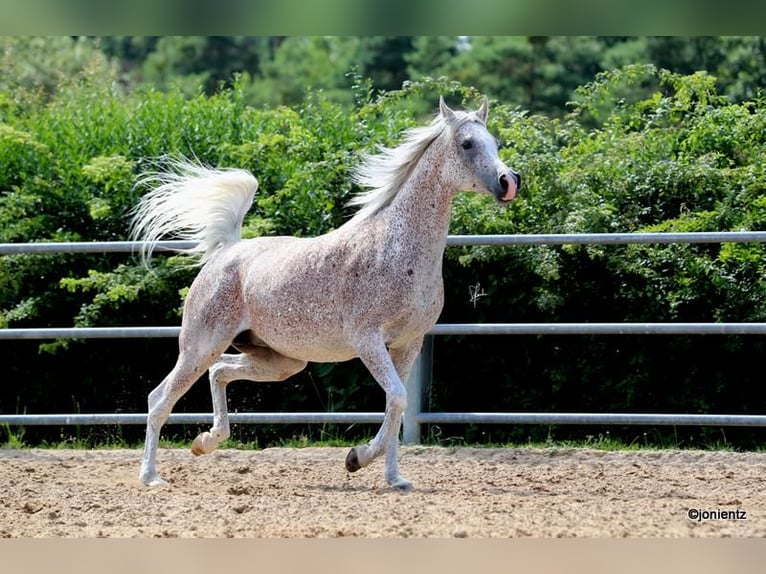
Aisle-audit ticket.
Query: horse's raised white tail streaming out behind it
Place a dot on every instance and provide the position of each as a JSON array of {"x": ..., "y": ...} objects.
[{"x": 193, "y": 202}]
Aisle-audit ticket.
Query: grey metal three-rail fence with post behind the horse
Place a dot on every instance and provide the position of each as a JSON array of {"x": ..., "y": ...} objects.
[{"x": 420, "y": 377}]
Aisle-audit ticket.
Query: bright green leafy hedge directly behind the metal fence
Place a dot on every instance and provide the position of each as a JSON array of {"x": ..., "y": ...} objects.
[{"x": 640, "y": 149}]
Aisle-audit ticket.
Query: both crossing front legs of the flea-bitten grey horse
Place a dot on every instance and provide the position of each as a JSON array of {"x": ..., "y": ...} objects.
[{"x": 390, "y": 370}]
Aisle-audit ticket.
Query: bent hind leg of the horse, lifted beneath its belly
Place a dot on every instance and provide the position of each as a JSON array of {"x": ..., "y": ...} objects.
[{"x": 256, "y": 364}]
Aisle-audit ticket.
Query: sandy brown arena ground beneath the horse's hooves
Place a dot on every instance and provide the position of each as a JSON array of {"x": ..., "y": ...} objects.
[{"x": 458, "y": 492}]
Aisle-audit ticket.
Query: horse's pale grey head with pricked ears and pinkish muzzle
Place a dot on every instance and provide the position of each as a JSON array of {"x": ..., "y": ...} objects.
[{"x": 475, "y": 150}]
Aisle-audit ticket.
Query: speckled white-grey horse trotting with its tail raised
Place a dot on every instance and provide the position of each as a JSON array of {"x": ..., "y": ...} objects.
[{"x": 370, "y": 289}]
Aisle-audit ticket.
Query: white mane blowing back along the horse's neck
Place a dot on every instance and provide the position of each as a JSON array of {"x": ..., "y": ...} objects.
[{"x": 384, "y": 173}]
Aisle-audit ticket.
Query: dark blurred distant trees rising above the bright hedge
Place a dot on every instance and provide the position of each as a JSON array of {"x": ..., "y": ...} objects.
[{"x": 538, "y": 73}]
